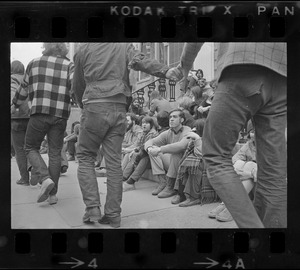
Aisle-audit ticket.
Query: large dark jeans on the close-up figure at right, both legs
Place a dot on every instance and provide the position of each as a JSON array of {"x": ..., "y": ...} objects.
[{"x": 243, "y": 92}]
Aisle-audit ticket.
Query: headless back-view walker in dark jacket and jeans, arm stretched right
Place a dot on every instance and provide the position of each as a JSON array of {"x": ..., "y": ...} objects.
[{"x": 101, "y": 86}]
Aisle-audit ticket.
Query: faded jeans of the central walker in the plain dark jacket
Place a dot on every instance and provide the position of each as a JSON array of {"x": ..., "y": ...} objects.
[{"x": 101, "y": 124}]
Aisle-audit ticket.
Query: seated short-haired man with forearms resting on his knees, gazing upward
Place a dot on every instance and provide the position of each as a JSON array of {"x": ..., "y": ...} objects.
[{"x": 165, "y": 143}]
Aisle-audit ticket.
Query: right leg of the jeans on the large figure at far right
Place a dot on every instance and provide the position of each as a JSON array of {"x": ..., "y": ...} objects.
[{"x": 270, "y": 198}]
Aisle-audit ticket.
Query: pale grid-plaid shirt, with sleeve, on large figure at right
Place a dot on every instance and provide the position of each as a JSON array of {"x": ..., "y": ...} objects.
[{"x": 270, "y": 55}]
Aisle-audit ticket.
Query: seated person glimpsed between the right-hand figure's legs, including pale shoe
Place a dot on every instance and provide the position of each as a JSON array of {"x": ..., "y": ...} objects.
[{"x": 244, "y": 163}]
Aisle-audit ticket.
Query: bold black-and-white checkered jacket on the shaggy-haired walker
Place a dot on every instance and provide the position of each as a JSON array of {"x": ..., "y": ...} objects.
[{"x": 47, "y": 82}]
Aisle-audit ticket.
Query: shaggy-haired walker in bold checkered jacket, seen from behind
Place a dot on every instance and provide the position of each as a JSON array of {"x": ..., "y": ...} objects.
[{"x": 47, "y": 82}]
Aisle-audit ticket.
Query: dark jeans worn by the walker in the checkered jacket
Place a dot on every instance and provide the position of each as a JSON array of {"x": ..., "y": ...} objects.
[{"x": 54, "y": 127}]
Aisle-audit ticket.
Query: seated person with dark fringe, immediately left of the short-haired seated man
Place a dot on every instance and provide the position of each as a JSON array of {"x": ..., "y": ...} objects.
[{"x": 139, "y": 157}]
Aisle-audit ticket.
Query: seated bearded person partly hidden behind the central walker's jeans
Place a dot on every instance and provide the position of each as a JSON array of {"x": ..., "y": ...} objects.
[{"x": 132, "y": 135}]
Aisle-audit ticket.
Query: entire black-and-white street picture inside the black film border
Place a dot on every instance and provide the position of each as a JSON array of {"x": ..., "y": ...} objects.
[{"x": 148, "y": 135}]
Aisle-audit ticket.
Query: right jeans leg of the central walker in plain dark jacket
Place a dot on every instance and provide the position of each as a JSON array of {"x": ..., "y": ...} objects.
[{"x": 112, "y": 149}]
